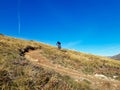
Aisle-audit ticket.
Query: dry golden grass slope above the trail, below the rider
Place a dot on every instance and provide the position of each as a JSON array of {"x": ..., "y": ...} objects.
[{"x": 89, "y": 64}]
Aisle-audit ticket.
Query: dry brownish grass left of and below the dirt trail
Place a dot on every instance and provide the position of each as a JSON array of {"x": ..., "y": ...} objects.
[{"x": 17, "y": 73}]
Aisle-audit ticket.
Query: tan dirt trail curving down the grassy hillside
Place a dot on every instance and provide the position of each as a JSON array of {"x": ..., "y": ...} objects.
[{"x": 37, "y": 58}]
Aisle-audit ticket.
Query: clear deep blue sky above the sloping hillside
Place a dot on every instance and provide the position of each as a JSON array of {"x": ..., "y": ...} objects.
[{"x": 91, "y": 26}]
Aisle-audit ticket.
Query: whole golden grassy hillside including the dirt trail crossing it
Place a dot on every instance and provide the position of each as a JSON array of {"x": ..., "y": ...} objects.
[{"x": 17, "y": 72}]
